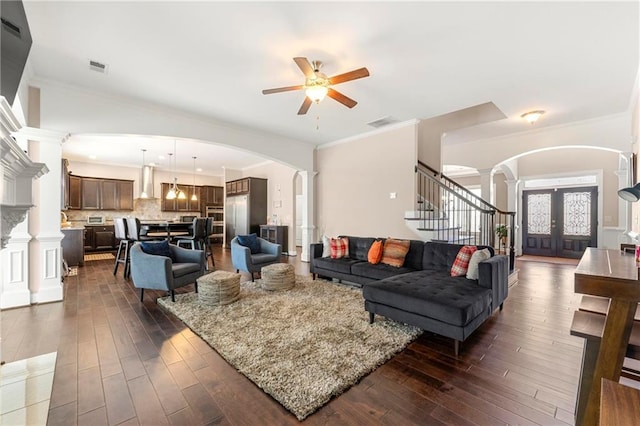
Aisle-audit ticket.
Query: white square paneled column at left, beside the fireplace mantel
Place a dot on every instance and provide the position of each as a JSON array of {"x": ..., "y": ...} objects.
[{"x": 45, "y": 265}]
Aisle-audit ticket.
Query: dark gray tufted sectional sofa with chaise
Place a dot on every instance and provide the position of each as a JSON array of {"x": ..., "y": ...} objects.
[{"x": 422, "y": 292}]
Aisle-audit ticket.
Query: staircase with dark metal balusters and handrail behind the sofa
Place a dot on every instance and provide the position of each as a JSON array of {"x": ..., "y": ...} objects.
[{"x": 445, "y": 211}]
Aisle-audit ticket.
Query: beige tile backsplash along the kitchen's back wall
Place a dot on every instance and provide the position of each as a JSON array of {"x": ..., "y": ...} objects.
[{"x": 144, "y": 209}]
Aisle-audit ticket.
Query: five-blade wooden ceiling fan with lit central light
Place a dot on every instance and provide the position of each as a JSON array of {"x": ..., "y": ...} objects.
[{"x": 317, "y": 85}]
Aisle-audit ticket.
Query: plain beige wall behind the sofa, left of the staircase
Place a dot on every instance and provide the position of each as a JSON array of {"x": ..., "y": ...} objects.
[{"x": 355, "y": 179}]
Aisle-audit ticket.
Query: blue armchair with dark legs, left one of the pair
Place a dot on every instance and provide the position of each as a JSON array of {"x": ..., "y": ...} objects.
[{"x": 161, "y": 273}]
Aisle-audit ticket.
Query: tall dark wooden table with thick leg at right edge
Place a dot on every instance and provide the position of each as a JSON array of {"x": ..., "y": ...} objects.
[{"x": 612, "y": 274}]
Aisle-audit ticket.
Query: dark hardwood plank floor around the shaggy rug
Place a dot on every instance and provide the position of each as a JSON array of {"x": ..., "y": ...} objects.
[{"x": 125, "y": 362}]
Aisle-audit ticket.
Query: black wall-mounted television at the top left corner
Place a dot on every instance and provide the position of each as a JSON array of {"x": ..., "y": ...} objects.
[{"x": 15, "y": 43}]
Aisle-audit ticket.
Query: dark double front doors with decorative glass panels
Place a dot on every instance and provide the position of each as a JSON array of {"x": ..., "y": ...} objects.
[{"x": 559, "y": 222}]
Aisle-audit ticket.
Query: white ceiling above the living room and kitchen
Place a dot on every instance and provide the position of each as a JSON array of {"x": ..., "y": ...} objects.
[{"x": 576, "y": 60}]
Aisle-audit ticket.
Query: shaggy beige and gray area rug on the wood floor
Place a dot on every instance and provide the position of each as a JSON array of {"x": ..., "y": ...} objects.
[{"x": 301, "y": 346}]
